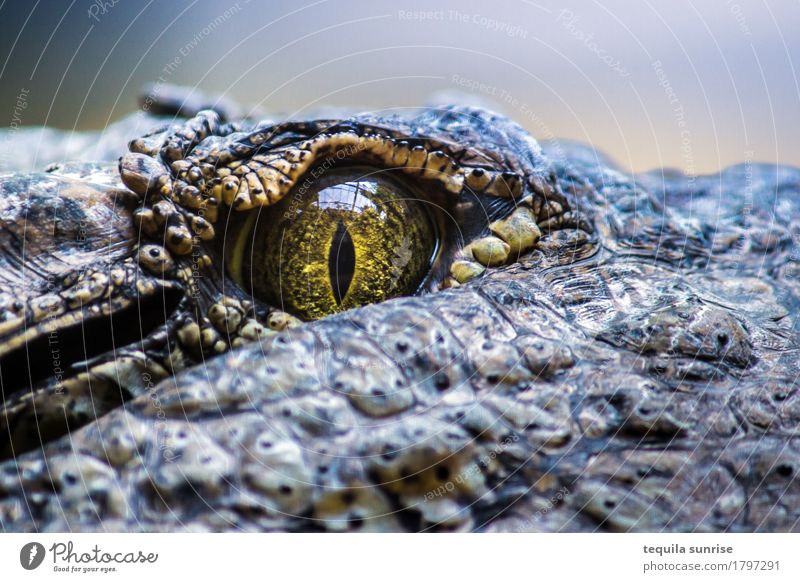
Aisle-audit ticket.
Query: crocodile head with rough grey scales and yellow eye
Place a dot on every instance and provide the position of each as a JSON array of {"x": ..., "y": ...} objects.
[{"x": 414, "y": 321}]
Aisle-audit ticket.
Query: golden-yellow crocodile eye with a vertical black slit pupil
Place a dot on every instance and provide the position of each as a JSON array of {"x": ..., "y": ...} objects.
[{"x": 346, "y": 239}]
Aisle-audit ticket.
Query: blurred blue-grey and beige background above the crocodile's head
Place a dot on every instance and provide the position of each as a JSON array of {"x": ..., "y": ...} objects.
[{"x": 691, "y": 84}]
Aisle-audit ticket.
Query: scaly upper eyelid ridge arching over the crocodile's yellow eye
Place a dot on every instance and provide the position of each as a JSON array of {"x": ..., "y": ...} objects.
[{"x": 204, "y": 165}]
